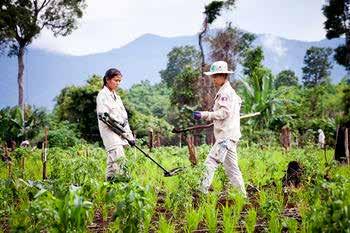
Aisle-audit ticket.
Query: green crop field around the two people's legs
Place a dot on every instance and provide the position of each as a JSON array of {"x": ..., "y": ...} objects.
[{"x": 76, "y": 198}]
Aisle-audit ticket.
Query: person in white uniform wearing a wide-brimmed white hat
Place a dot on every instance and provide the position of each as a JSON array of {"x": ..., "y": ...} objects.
[{"x": 226, "y": 118}]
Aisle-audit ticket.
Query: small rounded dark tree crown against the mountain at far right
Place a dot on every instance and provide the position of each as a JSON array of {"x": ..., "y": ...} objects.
[{"x": 317, "y": 66}]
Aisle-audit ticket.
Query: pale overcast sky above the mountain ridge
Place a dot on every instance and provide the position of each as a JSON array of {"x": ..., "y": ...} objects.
[{"x": 109, "y": 24}]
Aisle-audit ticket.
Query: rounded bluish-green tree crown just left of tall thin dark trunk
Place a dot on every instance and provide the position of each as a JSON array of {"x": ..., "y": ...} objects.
[{"x": 178, "y": 59}]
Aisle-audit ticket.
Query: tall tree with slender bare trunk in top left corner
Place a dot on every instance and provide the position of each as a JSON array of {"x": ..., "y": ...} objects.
[{"x": 21, "y": 21}]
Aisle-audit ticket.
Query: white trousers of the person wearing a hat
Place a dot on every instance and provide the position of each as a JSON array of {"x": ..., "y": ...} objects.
[{"x": 224, "y": 152}]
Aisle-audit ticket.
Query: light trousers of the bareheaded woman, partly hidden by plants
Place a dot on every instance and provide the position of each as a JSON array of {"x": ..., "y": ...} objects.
[{"x": 115, "y": 161}]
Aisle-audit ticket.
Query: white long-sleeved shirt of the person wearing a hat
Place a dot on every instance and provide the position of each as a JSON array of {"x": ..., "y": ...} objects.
[{"x": 225, "y": 114}]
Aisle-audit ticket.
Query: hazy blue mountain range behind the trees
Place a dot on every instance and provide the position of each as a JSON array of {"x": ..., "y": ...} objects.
[{"x": 46, "y": 73}]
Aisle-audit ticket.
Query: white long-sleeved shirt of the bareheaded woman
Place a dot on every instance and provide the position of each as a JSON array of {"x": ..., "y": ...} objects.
[{"x": 108, "y": 101}]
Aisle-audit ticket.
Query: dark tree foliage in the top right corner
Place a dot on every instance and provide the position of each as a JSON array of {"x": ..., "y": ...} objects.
[{"x": 337, "y": 24}]
